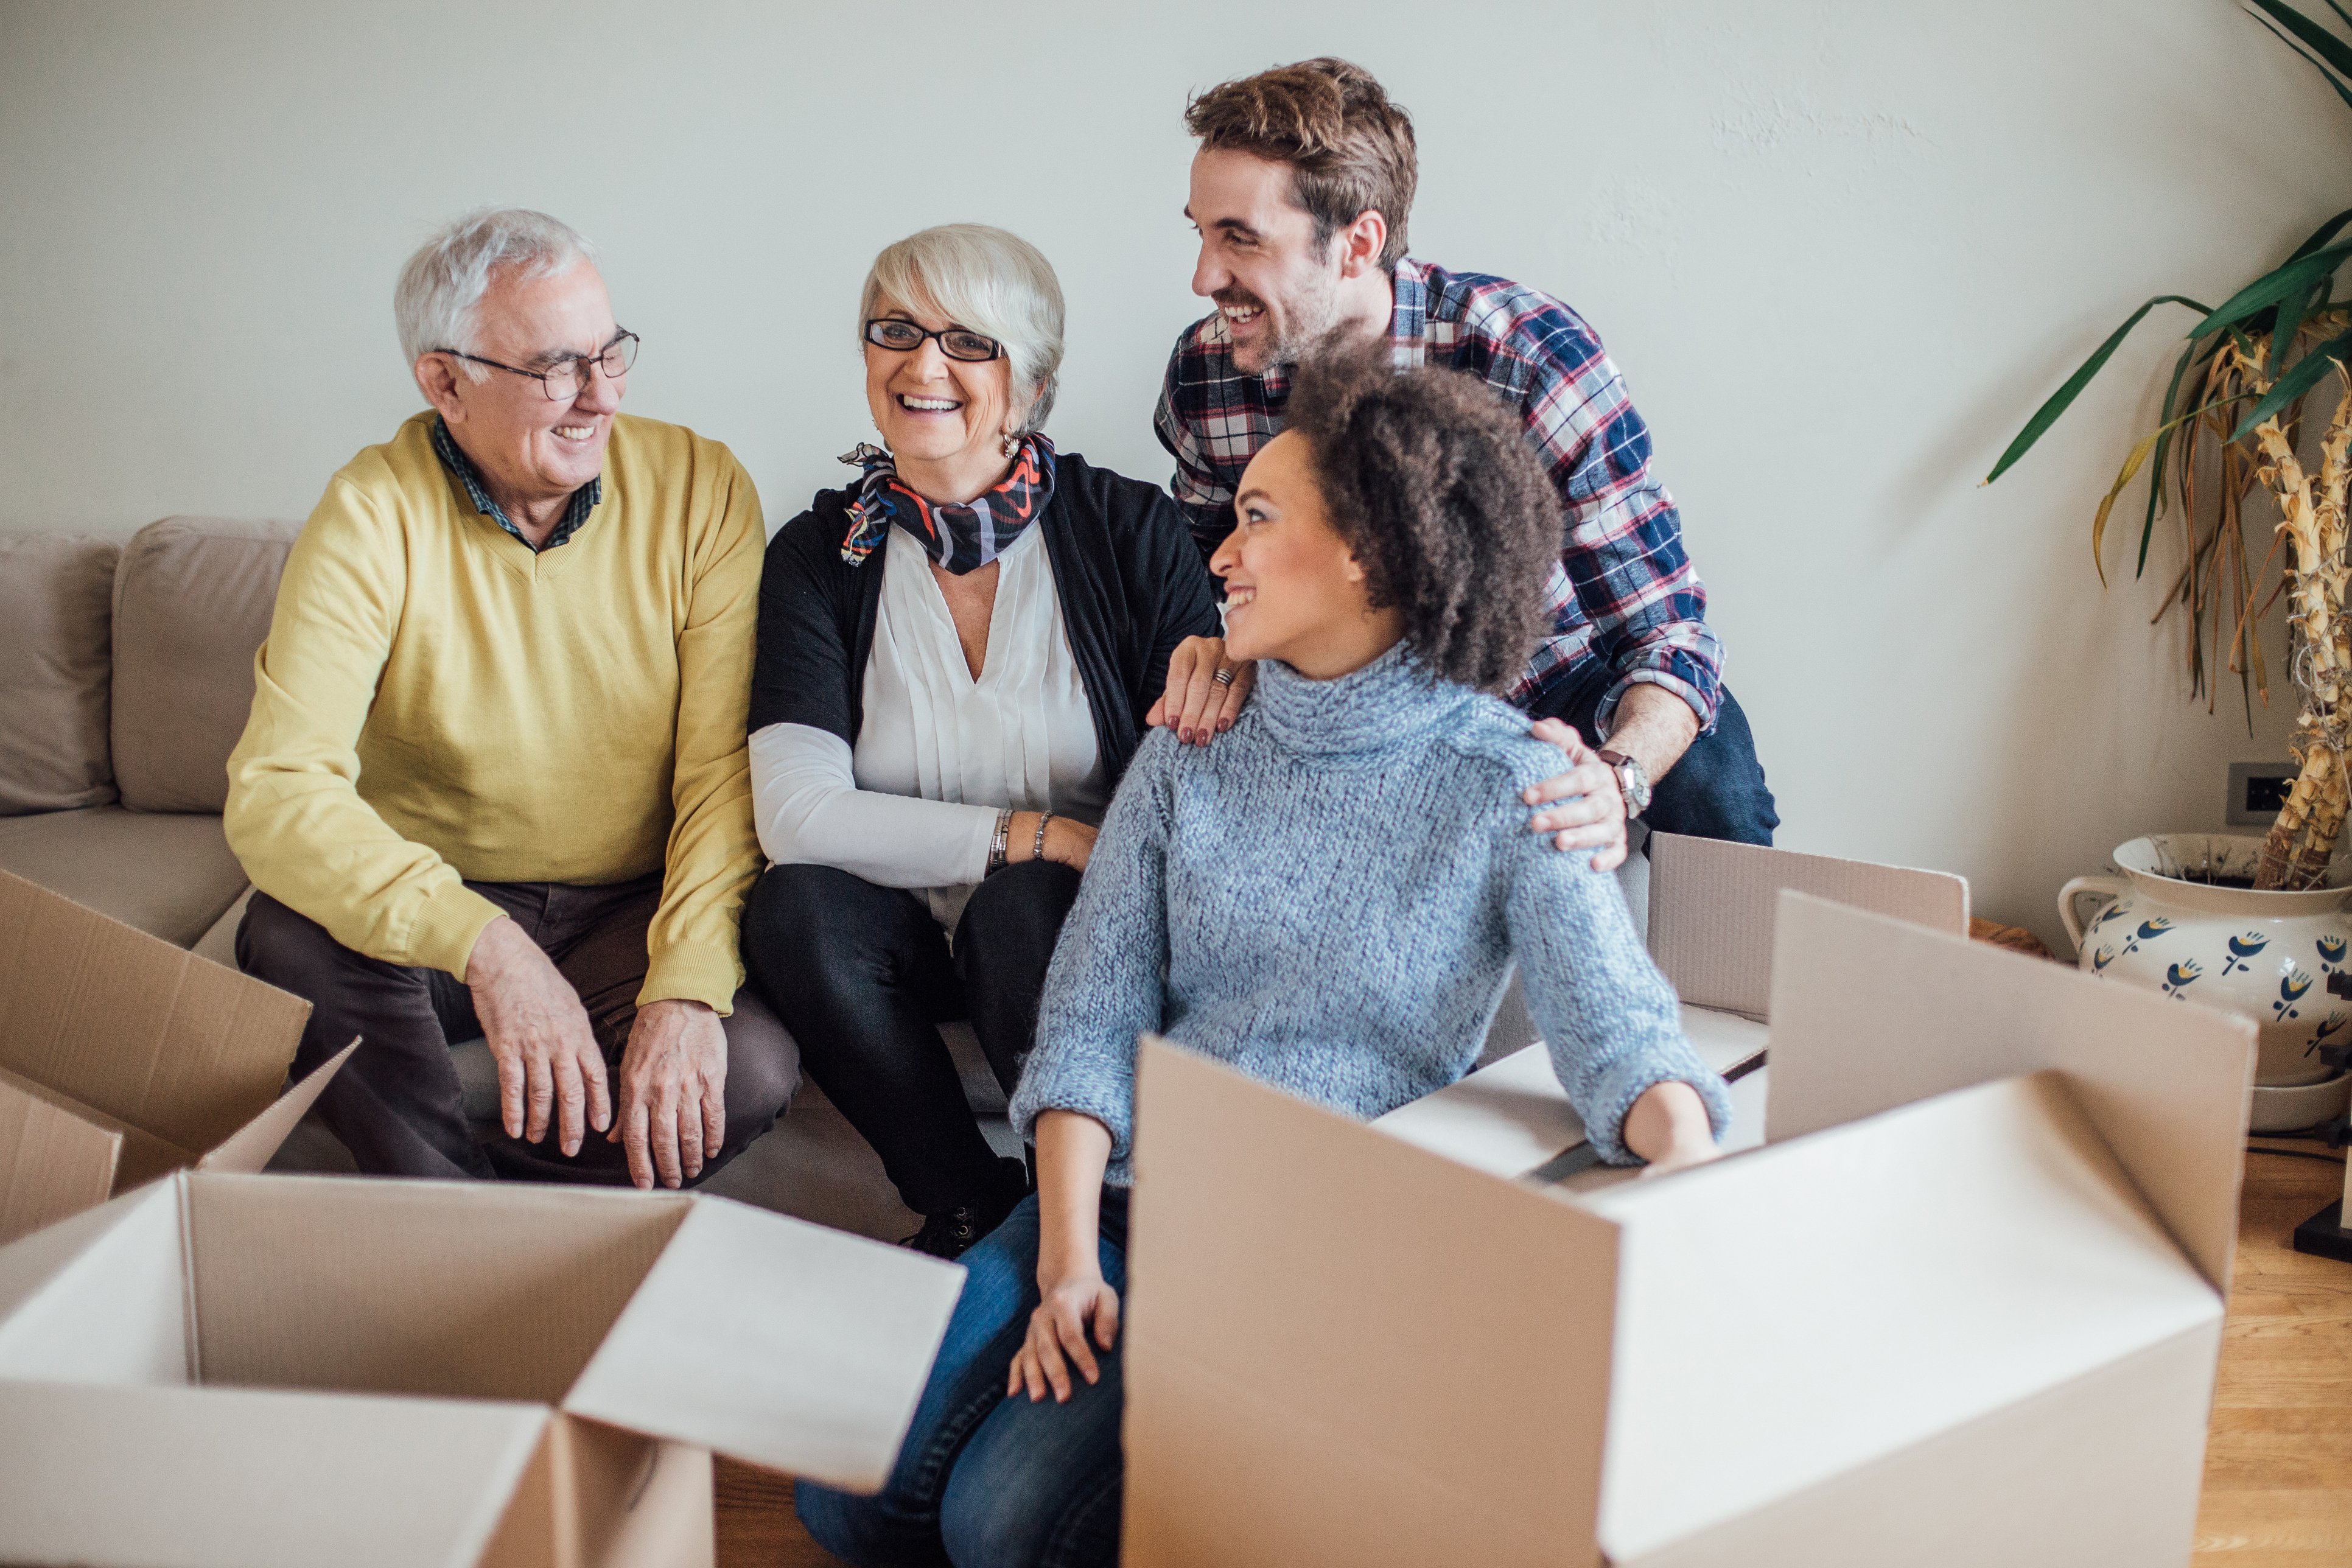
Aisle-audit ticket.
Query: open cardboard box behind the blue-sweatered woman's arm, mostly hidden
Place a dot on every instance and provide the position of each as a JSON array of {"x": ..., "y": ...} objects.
[{"x": 1711, "y": 932}]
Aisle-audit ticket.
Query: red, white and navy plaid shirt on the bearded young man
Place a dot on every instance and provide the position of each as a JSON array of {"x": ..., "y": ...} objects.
[{"x": 1626, "y": 603}]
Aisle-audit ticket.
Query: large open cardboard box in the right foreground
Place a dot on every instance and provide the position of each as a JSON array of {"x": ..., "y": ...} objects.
[{"x": 1960, "y": 1311}]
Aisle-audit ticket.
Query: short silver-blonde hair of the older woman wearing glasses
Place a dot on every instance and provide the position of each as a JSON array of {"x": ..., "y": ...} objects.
[{"x": 989, "y": 281}]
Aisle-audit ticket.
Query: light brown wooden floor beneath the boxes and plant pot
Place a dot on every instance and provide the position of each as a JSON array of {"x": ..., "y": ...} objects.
[{"x": 2278, "y": 1463}]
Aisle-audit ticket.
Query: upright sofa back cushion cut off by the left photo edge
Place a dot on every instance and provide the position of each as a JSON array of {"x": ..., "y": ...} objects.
[{"x": 58, "y": 608}]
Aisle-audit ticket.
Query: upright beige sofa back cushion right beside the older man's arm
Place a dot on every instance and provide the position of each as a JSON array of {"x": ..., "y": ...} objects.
[{"x": 194, "y": 601}]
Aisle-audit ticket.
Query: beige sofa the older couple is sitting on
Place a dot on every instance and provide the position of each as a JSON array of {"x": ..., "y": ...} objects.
[{"x": 126, "y": 676}]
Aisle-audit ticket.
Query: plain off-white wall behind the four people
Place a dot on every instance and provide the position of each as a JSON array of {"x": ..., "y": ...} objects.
[{"x": 1840, "y": 250}]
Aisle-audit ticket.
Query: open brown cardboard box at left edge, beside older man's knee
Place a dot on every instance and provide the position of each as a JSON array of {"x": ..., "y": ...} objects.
[{"x": 123, "y": 1059}]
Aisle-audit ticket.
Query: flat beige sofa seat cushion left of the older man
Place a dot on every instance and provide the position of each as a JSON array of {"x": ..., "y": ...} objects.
[{"x": 168, "y": 876}]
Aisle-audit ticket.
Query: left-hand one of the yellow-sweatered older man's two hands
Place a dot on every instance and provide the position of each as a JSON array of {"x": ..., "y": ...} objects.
[{"x": 540, "y": 1033}]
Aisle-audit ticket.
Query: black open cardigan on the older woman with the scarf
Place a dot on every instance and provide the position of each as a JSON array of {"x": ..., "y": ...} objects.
[{"x": 1125, "y": 570}]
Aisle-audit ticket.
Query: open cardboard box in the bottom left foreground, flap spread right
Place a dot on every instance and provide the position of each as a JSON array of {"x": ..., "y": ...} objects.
[{"x": 274, "y": 1369}]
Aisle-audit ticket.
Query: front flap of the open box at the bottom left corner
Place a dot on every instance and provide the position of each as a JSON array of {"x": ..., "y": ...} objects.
[{"x": 203, "y": 1477}]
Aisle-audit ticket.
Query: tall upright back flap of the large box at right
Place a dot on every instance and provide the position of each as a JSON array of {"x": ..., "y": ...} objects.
[{"x": 1873, "y": 1014}]
